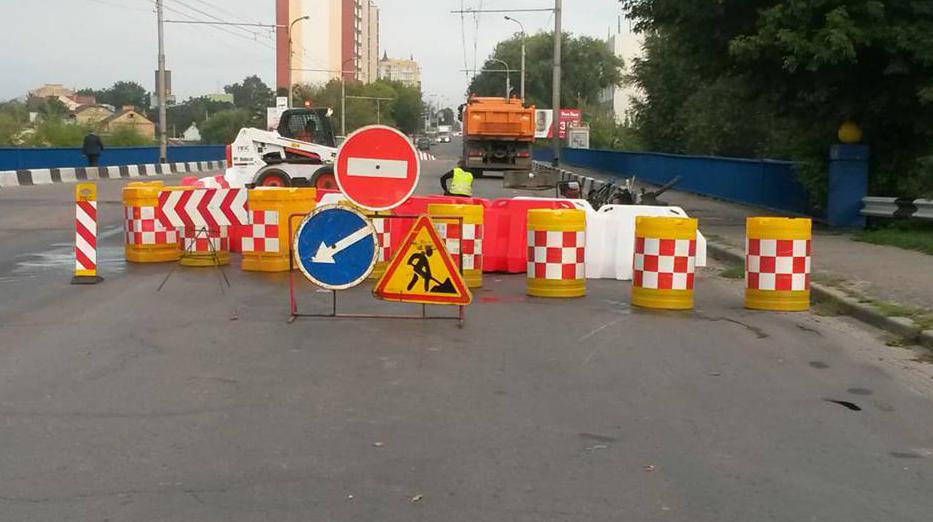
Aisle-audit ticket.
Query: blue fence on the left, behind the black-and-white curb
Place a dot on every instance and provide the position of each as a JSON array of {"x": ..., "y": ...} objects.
[{"x": 44, "y": 158}]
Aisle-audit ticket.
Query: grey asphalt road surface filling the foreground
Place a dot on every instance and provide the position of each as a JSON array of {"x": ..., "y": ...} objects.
[{"x": 121, "y": 403}]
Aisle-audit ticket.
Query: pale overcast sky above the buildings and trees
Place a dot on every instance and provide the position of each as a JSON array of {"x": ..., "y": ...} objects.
[{"x": 93, "y": 43}]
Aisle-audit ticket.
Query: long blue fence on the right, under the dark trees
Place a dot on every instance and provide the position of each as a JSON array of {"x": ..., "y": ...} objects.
[{"x": 765, "y": 183}]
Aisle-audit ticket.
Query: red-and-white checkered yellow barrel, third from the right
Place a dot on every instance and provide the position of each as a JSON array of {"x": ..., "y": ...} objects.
[{"x": 556, "y": 253}]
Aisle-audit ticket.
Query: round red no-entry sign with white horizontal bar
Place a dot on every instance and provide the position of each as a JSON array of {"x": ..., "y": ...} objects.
[{"x": 377, "y": 168}]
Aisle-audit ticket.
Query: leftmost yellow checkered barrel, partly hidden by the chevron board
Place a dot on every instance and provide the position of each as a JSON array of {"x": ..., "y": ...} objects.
[{"x": 146, "y": 239}]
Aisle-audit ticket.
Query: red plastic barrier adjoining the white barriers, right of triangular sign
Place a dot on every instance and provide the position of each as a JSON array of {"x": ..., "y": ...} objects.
[{"x": 505, "y": 245}]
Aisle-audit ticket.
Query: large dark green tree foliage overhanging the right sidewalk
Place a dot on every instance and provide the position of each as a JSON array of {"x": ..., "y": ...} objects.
[{"x": 781, "y": 75}]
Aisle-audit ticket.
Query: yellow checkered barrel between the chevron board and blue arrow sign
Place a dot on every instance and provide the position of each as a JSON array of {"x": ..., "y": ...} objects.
[{"x": 265, "y": 242}]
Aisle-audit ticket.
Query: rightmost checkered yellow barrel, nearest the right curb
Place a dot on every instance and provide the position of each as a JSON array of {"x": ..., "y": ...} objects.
[{"x": 777, "y": 264}]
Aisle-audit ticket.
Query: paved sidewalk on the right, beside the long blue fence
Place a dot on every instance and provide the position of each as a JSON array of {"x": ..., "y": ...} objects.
[{"x": 881, "y": 273}]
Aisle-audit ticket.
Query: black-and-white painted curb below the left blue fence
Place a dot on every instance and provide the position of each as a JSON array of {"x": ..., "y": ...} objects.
[{"x": 32, "y": 177}]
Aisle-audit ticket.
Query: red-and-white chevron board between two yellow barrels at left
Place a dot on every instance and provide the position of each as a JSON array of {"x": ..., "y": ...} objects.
[{"x": 203, "y": 208}]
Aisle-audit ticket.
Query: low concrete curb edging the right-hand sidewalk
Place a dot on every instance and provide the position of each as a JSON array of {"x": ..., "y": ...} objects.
[{"x": 900, "y": 326}]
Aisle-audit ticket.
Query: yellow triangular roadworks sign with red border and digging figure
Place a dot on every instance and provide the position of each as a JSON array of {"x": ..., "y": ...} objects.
[{"x": 422, "y": 271}]
